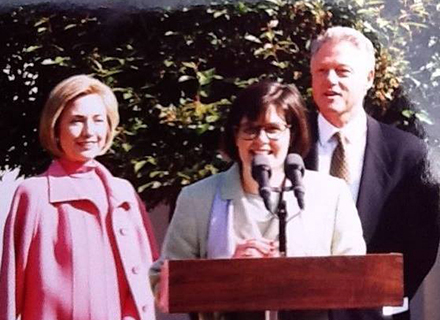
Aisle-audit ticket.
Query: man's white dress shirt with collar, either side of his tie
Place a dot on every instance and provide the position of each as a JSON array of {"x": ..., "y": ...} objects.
[{"x": 355, "y": 133}]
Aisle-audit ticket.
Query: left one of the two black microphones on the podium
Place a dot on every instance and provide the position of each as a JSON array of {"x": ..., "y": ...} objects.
[{"x": 261, "y": 173}]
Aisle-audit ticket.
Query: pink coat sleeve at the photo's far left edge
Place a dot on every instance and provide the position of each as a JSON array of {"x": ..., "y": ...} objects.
[{"x": 18, "y": 236}]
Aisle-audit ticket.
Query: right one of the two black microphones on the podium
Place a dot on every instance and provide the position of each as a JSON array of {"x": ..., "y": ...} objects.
[{"x": 294, "y": 169}]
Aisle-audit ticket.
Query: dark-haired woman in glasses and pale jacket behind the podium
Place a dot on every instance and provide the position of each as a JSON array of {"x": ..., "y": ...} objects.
[{"x": 233, "y": 214}]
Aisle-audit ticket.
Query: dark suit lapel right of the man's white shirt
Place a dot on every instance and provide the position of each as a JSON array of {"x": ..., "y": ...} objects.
[{"x": 374, "y": 179}]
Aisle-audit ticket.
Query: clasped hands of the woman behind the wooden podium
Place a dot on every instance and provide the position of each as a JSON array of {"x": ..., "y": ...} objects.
[{"x": 256, "y": 248}]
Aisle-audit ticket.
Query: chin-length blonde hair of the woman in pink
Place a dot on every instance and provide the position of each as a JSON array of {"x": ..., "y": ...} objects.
[{"x": 62, "y": 96}]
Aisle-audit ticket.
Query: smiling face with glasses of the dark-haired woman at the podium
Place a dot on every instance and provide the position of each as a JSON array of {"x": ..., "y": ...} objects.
[{"x": 272, "y": 138}]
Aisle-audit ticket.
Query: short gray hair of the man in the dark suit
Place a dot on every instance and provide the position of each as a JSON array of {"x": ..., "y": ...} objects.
[{"x": 339, "y": 34}]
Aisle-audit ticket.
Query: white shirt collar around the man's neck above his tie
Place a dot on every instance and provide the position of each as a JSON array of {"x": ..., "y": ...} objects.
[{"x": 353, "y": 131}]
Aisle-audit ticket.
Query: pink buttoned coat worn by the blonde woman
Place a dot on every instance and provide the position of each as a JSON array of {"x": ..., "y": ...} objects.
[{"x": 56, "y": 254}]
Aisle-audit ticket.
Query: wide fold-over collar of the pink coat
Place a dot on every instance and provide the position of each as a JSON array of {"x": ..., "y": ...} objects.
[{"x": 64, "y": 187}]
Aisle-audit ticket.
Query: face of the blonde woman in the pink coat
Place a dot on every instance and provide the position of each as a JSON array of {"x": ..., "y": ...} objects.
[{"x": 83, "y": 128}]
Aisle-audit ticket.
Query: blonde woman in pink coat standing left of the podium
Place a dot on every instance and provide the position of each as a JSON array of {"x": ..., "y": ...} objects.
[{"x": 77, "y": 243}]
